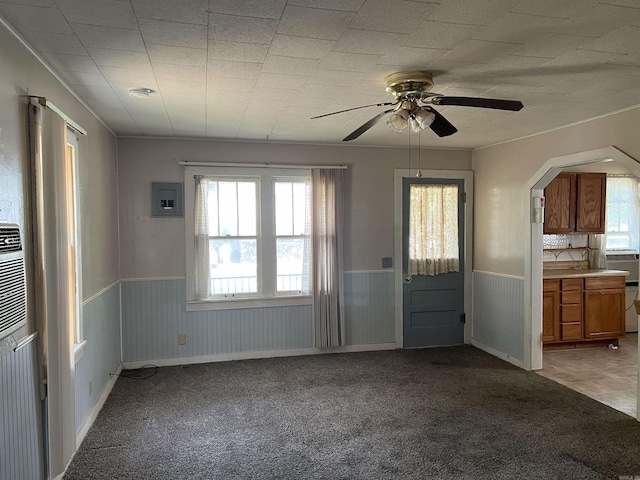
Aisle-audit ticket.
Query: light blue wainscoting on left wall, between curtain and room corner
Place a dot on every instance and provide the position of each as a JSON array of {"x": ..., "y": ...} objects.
[{"x": 101, "y": 354}]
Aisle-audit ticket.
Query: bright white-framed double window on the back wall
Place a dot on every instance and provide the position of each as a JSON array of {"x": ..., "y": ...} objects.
[{"x": 248, "y": 235}]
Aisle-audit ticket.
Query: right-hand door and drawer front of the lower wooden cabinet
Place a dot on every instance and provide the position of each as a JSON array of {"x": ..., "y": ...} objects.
[{"x": 604, "y": 307}]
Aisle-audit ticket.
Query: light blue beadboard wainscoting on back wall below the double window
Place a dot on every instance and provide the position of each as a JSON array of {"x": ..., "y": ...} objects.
[{"x": 153, "y": 315}]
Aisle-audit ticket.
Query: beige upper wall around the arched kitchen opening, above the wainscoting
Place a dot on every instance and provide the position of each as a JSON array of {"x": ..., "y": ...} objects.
[{"x": 502, "y": 171}]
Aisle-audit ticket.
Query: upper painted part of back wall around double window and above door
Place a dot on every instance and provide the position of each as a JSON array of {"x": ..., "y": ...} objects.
[{"x": 154, "y": 247}]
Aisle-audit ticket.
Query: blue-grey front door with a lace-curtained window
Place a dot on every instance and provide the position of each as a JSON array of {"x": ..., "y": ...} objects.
[{"x": 433, "y": 299}]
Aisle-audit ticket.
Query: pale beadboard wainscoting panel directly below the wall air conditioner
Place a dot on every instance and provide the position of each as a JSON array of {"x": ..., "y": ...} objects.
[{"x": 20, "y": 442}]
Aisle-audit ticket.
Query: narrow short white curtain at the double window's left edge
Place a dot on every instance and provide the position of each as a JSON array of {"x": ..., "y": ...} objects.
[{"x": 202, "y": 285}]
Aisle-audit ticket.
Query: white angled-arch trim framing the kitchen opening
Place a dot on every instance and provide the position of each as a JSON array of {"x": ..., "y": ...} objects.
[{"x": 533, "y": 236}]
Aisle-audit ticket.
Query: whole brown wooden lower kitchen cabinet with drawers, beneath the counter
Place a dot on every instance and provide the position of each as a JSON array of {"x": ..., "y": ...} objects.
[{"x": 582, "y": 311}]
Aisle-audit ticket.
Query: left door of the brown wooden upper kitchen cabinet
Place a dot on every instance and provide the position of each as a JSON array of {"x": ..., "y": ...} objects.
[{"x": 560, "y": 204}]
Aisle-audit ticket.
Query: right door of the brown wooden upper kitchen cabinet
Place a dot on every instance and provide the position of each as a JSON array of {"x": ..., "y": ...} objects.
[{"x": 592, "y": 194}]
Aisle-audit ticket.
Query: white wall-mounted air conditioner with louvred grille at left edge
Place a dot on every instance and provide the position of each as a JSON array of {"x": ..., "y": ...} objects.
[{"x": 13, "y": 288}]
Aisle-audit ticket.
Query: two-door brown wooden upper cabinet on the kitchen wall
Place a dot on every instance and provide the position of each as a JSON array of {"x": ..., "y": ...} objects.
[{"x": 575, "y": 202}]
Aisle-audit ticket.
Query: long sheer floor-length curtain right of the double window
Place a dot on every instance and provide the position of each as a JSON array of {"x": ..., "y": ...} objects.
[{"x": 328, "y": 300}]
